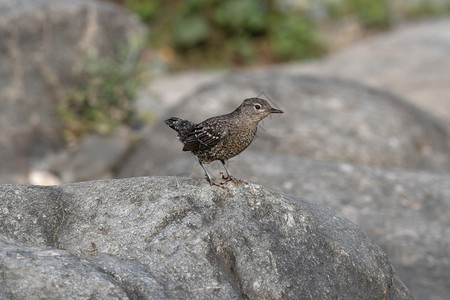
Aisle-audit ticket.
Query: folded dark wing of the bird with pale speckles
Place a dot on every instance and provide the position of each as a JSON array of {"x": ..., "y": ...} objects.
[{"x": 204, "y": 136}]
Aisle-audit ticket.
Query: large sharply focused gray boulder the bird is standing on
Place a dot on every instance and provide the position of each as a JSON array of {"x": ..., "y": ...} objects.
[{"x": 168, "y": 237}]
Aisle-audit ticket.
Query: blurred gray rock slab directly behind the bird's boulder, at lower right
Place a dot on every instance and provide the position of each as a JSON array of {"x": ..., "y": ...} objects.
[{"x": 406, "y": 213}]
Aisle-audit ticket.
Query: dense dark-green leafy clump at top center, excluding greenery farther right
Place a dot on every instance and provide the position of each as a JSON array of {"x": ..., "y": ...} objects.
[{"x": 235, "y": 32}]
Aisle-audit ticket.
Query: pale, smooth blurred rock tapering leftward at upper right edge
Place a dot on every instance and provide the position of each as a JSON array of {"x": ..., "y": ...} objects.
[{"x": 411, "y": 61}]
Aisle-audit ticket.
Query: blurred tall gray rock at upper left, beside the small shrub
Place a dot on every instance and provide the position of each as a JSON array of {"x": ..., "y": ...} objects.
[{"x": 42, "y": 43}]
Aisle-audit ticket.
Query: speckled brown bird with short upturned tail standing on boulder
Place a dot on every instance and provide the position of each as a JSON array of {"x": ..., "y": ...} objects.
[{"x": 222, "y": 137}]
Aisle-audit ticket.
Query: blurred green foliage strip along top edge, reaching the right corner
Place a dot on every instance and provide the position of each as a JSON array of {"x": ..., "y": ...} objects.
[{"x": 205, "y": 33}]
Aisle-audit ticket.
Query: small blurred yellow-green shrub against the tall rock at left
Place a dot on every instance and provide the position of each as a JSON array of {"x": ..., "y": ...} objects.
[{"x": 100, "y": 100}]
